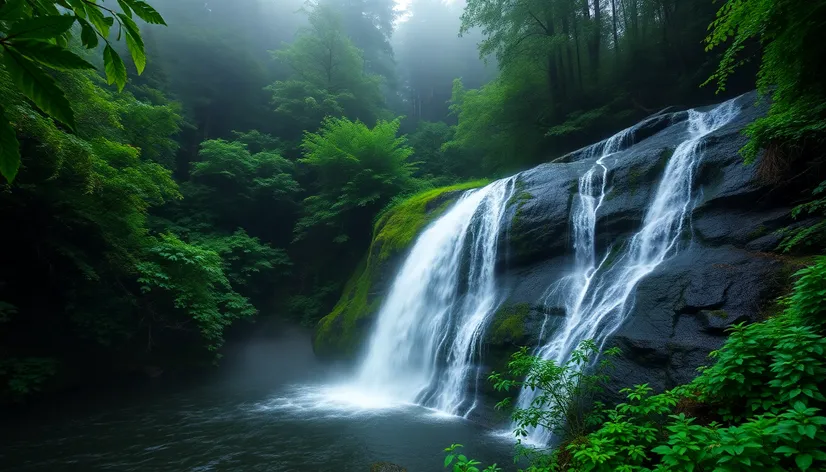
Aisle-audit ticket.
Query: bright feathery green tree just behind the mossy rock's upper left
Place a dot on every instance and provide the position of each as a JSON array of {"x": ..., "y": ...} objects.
[{"x": 358, "y": 170}]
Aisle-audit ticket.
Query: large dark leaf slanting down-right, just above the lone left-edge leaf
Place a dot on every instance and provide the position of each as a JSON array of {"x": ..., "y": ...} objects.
[{"x": 39, "y": 87}]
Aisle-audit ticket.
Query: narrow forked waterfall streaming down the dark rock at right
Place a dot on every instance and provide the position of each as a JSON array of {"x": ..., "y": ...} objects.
[{"x": 596, "y": 295}]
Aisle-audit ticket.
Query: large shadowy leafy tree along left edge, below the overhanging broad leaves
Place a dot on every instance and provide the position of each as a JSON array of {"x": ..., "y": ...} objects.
[{"x": 79, "y": 210}]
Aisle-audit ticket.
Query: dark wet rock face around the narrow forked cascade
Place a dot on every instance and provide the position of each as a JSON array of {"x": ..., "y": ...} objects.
[{"x": 722, "y": 274}]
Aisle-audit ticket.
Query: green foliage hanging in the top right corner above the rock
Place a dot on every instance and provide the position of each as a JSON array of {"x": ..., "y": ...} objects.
[{"x": 791, "y": 67}]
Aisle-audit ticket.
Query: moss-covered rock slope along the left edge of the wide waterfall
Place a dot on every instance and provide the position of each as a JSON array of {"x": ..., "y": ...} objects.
[{"x": 341, "y": 333}]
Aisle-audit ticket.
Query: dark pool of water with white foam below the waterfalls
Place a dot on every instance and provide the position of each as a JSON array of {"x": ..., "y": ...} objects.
[{"x": 257, "y": 412}]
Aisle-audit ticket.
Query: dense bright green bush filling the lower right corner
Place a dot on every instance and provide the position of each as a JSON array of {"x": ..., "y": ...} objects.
[{"x": 758, "y": 406}]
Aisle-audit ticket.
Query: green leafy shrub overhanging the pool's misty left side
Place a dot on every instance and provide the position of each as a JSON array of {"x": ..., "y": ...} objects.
[{"x": 188, "y": 283}]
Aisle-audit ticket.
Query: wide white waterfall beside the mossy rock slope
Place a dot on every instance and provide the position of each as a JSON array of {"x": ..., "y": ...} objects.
[{"x": 428, "y": 332}]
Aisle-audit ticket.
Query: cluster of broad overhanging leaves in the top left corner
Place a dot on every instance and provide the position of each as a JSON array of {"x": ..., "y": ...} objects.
[{"x": 33, "y": 39}]
